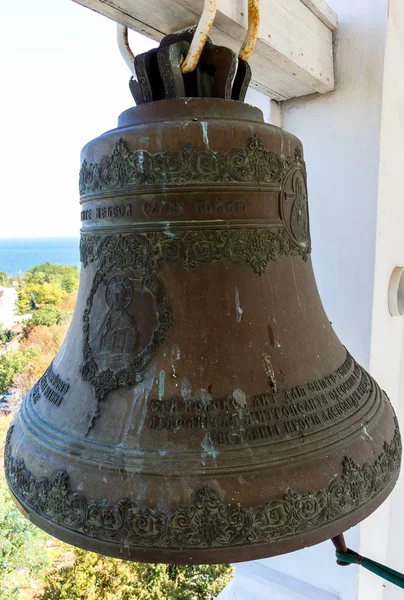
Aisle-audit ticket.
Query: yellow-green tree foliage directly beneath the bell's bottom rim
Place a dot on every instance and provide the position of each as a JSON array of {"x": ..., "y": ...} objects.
[{"x": 94, "y": 577}]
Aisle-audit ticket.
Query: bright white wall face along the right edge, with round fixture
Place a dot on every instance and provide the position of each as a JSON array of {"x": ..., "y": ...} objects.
[{"x": 386, "y": 360}]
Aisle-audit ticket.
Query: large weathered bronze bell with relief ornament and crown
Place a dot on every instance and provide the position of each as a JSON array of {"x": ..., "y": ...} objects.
[{"x": 201, "y": 408}]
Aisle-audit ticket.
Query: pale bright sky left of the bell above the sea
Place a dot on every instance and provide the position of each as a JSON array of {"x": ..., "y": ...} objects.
[{"x": 63, "y": 82}]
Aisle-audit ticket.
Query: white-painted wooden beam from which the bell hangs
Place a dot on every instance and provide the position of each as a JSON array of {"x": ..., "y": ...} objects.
[{"x": 294, "y": 53}]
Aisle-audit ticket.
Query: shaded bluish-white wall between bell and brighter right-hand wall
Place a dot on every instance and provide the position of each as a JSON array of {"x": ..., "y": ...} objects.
[{"x": 341, "y": 136}]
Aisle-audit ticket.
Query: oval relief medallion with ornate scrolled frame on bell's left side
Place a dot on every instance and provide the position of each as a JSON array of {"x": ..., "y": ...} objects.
[{"x": 126, "y": 316}]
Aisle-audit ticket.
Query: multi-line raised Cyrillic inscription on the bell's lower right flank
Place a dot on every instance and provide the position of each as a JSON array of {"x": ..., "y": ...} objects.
[{"x": 291, "y": 413}]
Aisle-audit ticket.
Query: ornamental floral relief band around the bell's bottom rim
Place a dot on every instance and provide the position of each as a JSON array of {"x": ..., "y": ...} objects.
[{"x": 207, "y": 521}]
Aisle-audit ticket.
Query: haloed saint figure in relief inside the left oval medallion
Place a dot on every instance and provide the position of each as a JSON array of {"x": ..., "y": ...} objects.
[{"x": 116, "y": 341}]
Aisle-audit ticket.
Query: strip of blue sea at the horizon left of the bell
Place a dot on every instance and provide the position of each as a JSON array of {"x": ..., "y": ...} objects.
[{"x": 19, "y": 254}]
